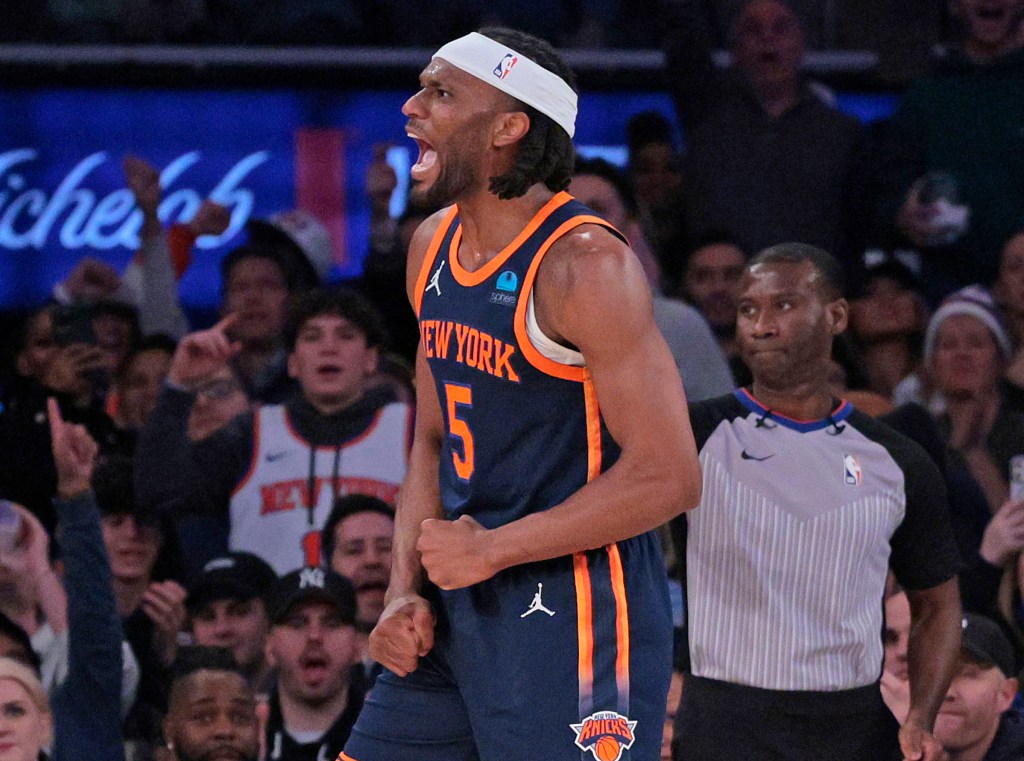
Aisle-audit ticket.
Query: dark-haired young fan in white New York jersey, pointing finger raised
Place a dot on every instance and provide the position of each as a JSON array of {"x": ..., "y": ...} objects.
[{"x": 277, "y": 472}]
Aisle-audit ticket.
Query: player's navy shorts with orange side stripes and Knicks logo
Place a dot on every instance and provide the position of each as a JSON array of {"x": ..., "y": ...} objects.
[{"x": 568, "y": 660}]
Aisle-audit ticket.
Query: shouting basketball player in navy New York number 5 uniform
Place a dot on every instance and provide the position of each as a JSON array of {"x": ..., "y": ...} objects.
[{"x": 551, "y": 438}]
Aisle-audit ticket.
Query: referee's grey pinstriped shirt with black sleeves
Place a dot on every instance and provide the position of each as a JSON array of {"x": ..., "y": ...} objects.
[{"x": 786, "y": 558}]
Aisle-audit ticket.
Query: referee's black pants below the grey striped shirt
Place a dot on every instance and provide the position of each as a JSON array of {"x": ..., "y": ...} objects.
[{"x": 719, "y": 722}]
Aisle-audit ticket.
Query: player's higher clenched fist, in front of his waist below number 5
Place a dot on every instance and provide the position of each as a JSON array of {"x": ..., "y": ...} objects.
[{"x": 452, "y": 553}]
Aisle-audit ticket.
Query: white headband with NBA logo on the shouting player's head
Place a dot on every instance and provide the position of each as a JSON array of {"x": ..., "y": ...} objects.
[{"x": 515, "y": 74}]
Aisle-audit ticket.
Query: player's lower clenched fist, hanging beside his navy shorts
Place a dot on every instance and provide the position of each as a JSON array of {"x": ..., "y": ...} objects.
[{"x": 404, "y": 635}]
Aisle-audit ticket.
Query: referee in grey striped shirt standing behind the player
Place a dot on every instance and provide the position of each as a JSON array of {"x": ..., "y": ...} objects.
[{"x": 807, "y": 504}]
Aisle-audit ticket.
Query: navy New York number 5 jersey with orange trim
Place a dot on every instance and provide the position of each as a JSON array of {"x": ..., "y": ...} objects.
[{"x": 524, "y": 433}]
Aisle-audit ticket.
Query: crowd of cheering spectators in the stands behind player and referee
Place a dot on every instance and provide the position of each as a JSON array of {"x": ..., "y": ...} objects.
[{"x": 169, "y": 489}]
